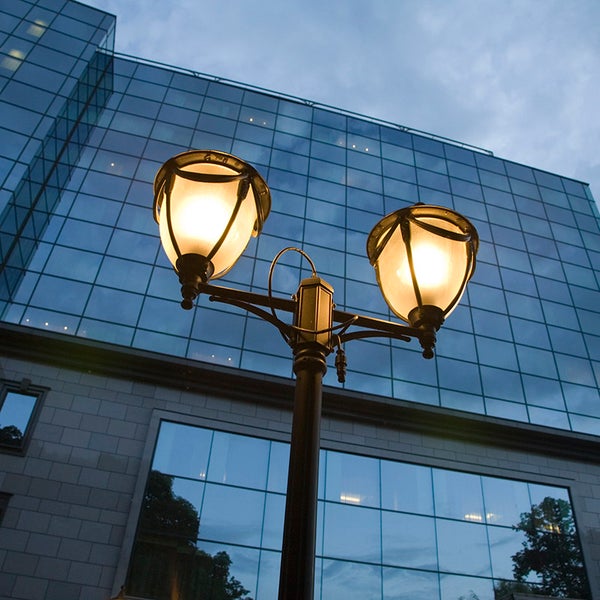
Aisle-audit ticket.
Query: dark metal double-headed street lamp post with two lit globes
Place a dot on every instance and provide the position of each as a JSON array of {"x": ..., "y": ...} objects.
[{"x": 208, "y": 204}]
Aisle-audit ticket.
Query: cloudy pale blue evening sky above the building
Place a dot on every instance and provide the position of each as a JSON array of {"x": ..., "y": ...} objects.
[{"x": 518, "y": 77}]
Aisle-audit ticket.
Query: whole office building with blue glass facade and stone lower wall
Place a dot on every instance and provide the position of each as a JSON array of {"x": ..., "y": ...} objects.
[{"x": 146, "y": 446}]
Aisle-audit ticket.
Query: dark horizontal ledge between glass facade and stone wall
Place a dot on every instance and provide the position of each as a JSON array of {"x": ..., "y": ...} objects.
[{"x": 180, "y": 373}]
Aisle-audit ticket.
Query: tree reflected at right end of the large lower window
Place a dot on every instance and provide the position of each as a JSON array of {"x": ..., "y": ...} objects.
[{"x": 551, "y": 549}]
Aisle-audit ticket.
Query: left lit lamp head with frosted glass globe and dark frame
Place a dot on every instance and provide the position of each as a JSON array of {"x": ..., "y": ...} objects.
[{"x": 208, "y": 205}]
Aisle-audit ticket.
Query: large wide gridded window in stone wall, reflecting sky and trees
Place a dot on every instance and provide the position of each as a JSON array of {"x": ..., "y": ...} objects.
[{"x": 212, "y": 521}]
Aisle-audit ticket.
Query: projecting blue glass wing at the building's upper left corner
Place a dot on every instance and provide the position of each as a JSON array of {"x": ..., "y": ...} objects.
[{"x": 56, "y": 77}]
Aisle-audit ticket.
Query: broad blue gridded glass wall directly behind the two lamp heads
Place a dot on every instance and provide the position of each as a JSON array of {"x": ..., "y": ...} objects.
[{"x": 523, "y": 345}]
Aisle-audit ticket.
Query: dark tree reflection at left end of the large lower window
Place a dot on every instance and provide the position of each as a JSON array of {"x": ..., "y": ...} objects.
[{"x": 166, "y": 564}]
